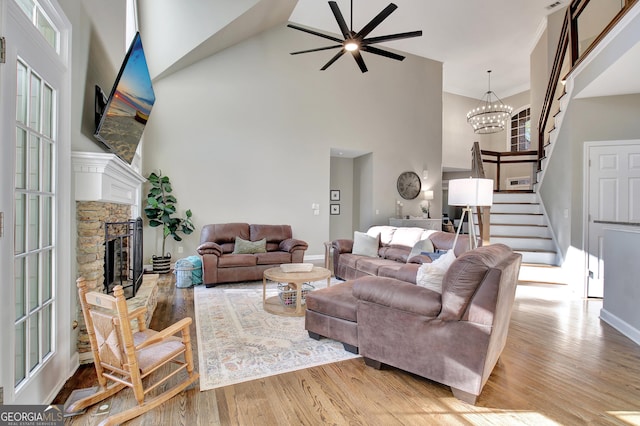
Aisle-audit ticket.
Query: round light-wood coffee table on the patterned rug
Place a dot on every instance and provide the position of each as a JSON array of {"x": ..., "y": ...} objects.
[{"x": 295, "y": 280}]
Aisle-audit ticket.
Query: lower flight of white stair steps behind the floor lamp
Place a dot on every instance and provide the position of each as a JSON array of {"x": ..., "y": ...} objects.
[{"x": 517, "y": 220}]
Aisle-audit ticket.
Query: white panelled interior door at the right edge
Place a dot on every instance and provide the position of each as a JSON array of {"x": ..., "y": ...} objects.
[{"x": 613, "y": 200}]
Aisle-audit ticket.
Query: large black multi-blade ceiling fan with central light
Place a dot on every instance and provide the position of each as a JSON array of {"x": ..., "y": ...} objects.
[{"x": 355, "y": 42}]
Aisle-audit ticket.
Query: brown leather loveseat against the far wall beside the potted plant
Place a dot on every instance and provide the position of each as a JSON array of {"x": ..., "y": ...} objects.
[{"x": 221, "y": 265}]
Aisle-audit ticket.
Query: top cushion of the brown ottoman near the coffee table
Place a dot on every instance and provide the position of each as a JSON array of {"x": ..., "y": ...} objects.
[{"x": 335, "y": 301}]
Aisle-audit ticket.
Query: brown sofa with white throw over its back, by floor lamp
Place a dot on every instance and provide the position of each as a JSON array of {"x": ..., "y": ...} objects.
[{"x": 394, "y": 259}]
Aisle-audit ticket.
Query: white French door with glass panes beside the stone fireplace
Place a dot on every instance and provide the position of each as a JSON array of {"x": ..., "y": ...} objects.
[{"x": 33, "y": 251}]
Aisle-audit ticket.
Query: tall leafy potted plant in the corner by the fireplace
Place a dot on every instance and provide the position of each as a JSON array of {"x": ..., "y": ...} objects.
[{"x": 160, "y": 210}]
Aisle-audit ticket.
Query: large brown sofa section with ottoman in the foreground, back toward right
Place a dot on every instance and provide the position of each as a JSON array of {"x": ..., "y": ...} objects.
[{"x": 454, "y": 337}]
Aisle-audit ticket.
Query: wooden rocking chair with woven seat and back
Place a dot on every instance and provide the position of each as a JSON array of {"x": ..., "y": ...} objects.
[{"x": 125, "y": 358}]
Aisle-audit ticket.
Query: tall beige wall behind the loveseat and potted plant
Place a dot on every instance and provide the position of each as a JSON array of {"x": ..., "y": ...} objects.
[{"x": 245, "y": 135}]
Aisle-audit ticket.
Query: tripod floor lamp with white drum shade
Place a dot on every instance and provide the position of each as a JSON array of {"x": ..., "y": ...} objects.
[{"x": 471, "y": 192}]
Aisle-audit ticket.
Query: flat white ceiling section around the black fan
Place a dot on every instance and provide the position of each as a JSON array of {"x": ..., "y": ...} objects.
[{"x": 468, "y": 37}]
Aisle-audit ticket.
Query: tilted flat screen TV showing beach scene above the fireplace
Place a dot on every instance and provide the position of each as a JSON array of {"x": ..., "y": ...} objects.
[{"x": 121, "y": 118}]
